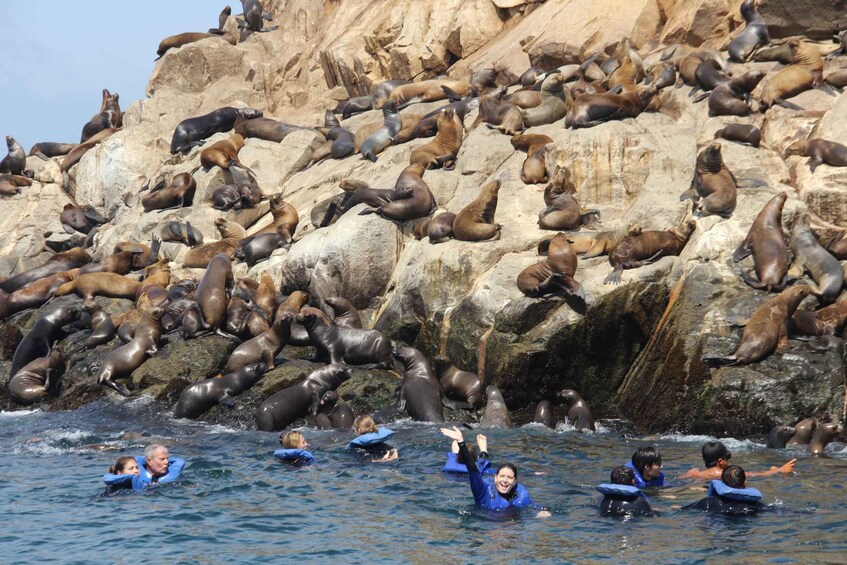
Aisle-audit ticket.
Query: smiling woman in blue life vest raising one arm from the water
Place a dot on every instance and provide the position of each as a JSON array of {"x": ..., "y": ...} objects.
[{"x": 500, "y": 493}]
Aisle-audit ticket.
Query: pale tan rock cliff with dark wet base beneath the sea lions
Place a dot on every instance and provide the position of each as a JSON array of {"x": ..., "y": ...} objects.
[{"x": 633, "y": 350}]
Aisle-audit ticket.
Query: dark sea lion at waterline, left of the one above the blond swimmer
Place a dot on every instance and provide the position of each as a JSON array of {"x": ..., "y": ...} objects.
[{"x": 197, "y": 398}]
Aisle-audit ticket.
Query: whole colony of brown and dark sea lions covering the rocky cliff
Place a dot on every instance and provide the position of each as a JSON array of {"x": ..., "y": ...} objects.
[{"x": 575, "y": 96}]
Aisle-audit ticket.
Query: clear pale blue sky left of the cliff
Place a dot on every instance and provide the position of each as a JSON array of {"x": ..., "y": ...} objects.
[{"x": 57, "y": 56}]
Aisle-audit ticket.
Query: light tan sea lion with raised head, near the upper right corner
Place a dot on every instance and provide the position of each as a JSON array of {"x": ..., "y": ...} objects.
[{"x": 806, "y": 72}]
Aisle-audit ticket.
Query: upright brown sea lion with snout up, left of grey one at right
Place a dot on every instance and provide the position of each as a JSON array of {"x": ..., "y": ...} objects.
[{"x": 766, "y": 242}]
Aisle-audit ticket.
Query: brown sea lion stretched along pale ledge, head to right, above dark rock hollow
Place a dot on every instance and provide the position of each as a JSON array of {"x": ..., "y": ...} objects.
[{"x": 636, "y": 251}]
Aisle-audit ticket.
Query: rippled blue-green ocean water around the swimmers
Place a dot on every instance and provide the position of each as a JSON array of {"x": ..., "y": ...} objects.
[{"x": 236, "y": 504}]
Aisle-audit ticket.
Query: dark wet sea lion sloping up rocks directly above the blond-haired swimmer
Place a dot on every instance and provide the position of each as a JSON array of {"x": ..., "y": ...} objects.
[{"x": 283, "y": 408}]
